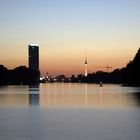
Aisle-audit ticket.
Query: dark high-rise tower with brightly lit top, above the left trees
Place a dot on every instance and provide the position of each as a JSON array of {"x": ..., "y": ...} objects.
[{"x": 33, "y": 56}]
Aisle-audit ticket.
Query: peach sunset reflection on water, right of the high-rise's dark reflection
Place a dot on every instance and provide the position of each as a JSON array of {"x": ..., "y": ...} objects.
[{"x": 66, "y": 95}]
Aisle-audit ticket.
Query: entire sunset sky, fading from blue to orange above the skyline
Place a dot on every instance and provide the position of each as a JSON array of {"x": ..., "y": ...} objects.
[{"x": 108, "y": 30}]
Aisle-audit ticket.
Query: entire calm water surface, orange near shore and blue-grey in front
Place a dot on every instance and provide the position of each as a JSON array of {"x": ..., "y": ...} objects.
[{"x": 69, "y": 112}]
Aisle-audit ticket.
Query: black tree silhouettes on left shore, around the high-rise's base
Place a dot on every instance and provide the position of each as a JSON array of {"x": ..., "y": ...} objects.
[{"x": 19, "y": 75}]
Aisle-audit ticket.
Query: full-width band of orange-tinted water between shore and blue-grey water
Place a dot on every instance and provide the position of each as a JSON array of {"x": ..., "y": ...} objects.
[{"x": 70, "y": 95}]
